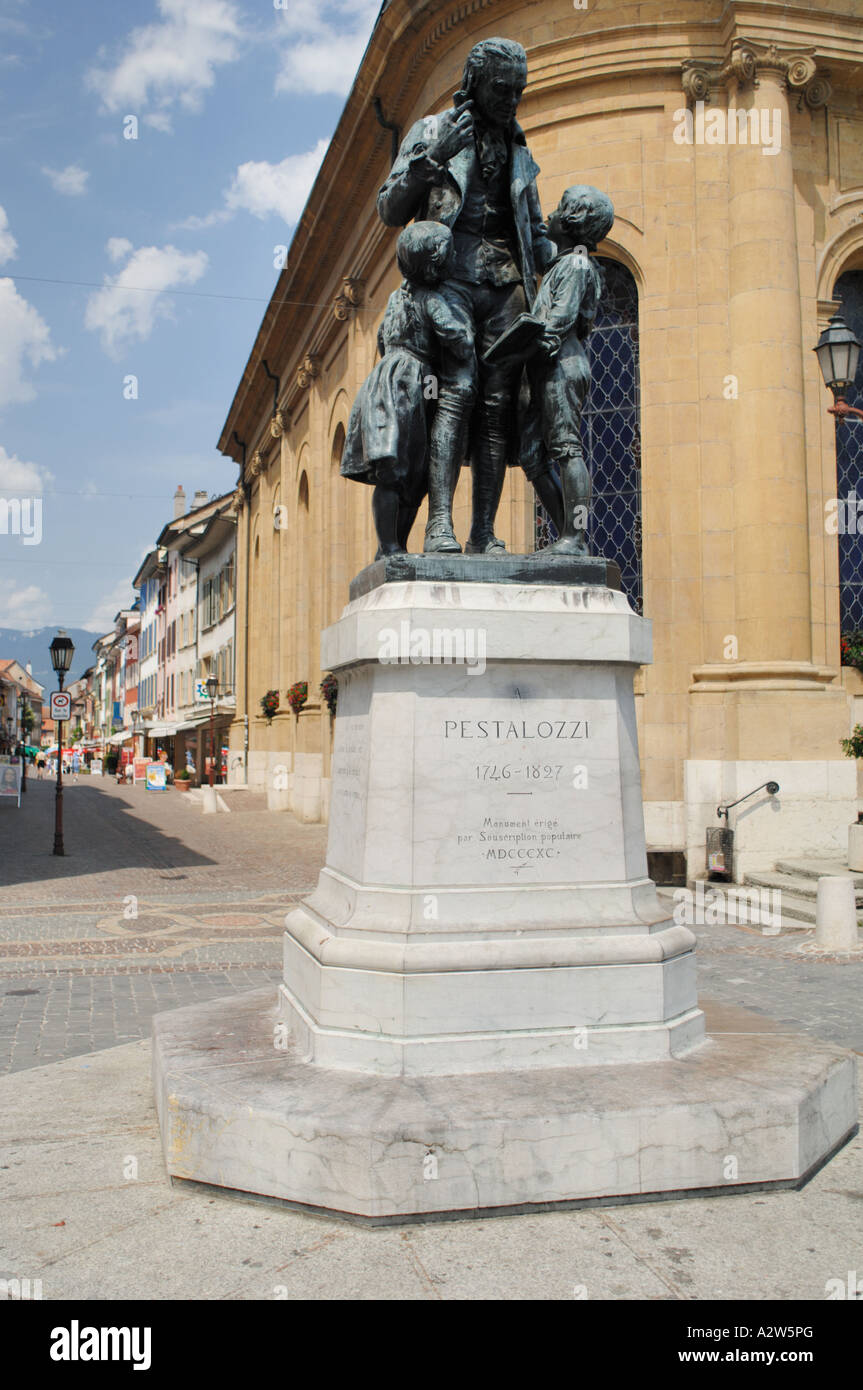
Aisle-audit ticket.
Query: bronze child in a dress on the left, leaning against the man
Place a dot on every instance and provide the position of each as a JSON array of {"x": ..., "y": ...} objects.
[{"x": 387, "y": 443}]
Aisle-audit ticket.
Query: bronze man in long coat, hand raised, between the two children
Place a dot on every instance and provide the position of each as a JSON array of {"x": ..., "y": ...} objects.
[{"x": 472, "y": 170}]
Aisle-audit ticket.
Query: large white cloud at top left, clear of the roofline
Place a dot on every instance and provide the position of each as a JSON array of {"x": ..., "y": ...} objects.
[{"x": 170, "y": 63}]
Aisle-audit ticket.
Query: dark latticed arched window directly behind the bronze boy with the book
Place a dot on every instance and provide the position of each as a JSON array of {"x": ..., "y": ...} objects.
[{"x": 611, "y": 433}]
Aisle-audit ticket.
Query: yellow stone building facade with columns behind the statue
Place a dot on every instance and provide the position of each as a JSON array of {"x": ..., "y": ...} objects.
[{"x": 730, "y": 138}]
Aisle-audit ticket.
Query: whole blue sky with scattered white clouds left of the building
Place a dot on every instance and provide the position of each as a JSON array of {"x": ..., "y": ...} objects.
[{"x": 149, "y": 258}]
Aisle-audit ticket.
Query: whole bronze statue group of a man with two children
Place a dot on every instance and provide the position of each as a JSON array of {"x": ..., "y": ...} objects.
[{"x": 468, "y": 320}]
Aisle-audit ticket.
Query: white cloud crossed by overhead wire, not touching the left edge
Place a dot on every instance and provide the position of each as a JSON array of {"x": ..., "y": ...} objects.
[{"x": 130, "y": 305}]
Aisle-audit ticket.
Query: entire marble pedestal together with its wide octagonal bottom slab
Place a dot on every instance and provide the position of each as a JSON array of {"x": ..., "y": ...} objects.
[{"x": 484, "y": 979}]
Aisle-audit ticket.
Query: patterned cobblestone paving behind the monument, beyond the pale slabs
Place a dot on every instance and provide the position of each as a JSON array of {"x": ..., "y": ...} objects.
[{"x": 156, "y": 906}]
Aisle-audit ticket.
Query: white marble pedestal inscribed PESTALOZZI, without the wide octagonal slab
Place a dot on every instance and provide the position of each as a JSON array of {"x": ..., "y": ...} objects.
[{"x": 486, "y": 901}]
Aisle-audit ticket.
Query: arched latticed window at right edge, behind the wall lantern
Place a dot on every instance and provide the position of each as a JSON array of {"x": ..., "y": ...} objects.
[{"x": 850, "y": 464}]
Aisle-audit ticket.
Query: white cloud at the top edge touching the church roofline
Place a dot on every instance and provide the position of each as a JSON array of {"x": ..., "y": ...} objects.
[{"x": 323, "y": 42}]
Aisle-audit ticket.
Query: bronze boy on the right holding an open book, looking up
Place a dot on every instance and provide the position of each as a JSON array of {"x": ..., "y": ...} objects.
[{"x": 559, "y": 372}]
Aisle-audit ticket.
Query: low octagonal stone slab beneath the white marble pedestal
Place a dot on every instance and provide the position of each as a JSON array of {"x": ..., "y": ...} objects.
[{"x": 736, "y": 1114}]
